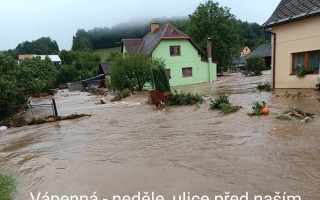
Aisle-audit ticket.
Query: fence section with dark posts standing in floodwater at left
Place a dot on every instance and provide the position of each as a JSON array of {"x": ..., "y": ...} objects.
[{"x": 43, "y": 109}]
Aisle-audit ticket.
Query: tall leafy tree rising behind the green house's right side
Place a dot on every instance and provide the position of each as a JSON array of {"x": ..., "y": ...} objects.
[{"x": 210, "y": 20}]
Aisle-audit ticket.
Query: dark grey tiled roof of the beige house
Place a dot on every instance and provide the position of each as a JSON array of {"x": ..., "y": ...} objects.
[{"x": 293, "y": 10}]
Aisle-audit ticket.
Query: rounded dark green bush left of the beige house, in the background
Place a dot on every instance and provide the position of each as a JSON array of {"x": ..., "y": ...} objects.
[{"x": 255, "y": 66}]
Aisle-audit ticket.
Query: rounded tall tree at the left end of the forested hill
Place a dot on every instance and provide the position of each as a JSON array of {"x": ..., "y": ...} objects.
[{"x": 82, "y": 41}]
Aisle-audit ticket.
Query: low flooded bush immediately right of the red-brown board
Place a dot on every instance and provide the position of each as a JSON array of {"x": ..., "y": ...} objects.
[{"x": 182, "y": 98}]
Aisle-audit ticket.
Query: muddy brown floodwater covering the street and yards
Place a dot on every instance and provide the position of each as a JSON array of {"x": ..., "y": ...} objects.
[{"x": 129, "y": 146}]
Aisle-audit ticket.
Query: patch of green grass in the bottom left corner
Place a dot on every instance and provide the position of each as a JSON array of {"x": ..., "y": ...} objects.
[{"x": 7, "y": 187}]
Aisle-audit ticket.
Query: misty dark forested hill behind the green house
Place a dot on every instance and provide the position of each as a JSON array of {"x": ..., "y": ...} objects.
[{"x": 106, "y": 37}]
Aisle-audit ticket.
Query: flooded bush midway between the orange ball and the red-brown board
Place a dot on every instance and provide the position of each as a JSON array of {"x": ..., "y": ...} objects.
[{"x": 222, "y": 103}]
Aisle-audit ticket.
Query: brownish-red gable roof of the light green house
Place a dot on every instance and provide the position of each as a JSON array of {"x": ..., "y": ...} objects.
[{"x": 151, "y": 40}]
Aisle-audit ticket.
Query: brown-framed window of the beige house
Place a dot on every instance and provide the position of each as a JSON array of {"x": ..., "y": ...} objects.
[{"x": 309, "y": 60}]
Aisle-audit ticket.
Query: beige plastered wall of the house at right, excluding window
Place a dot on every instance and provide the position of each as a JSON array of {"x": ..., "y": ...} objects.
[{"x": 300, "y": 36}]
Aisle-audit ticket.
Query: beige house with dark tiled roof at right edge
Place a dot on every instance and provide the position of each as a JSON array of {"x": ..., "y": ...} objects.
[{"x": 295, "y": 28}]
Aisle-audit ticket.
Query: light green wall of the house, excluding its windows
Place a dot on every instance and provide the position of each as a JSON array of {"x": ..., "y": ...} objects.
[{"x": 201, "y": 72}]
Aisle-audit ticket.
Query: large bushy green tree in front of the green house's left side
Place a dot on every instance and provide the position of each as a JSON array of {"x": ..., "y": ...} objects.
[{"x": 131, "y": 72}]
